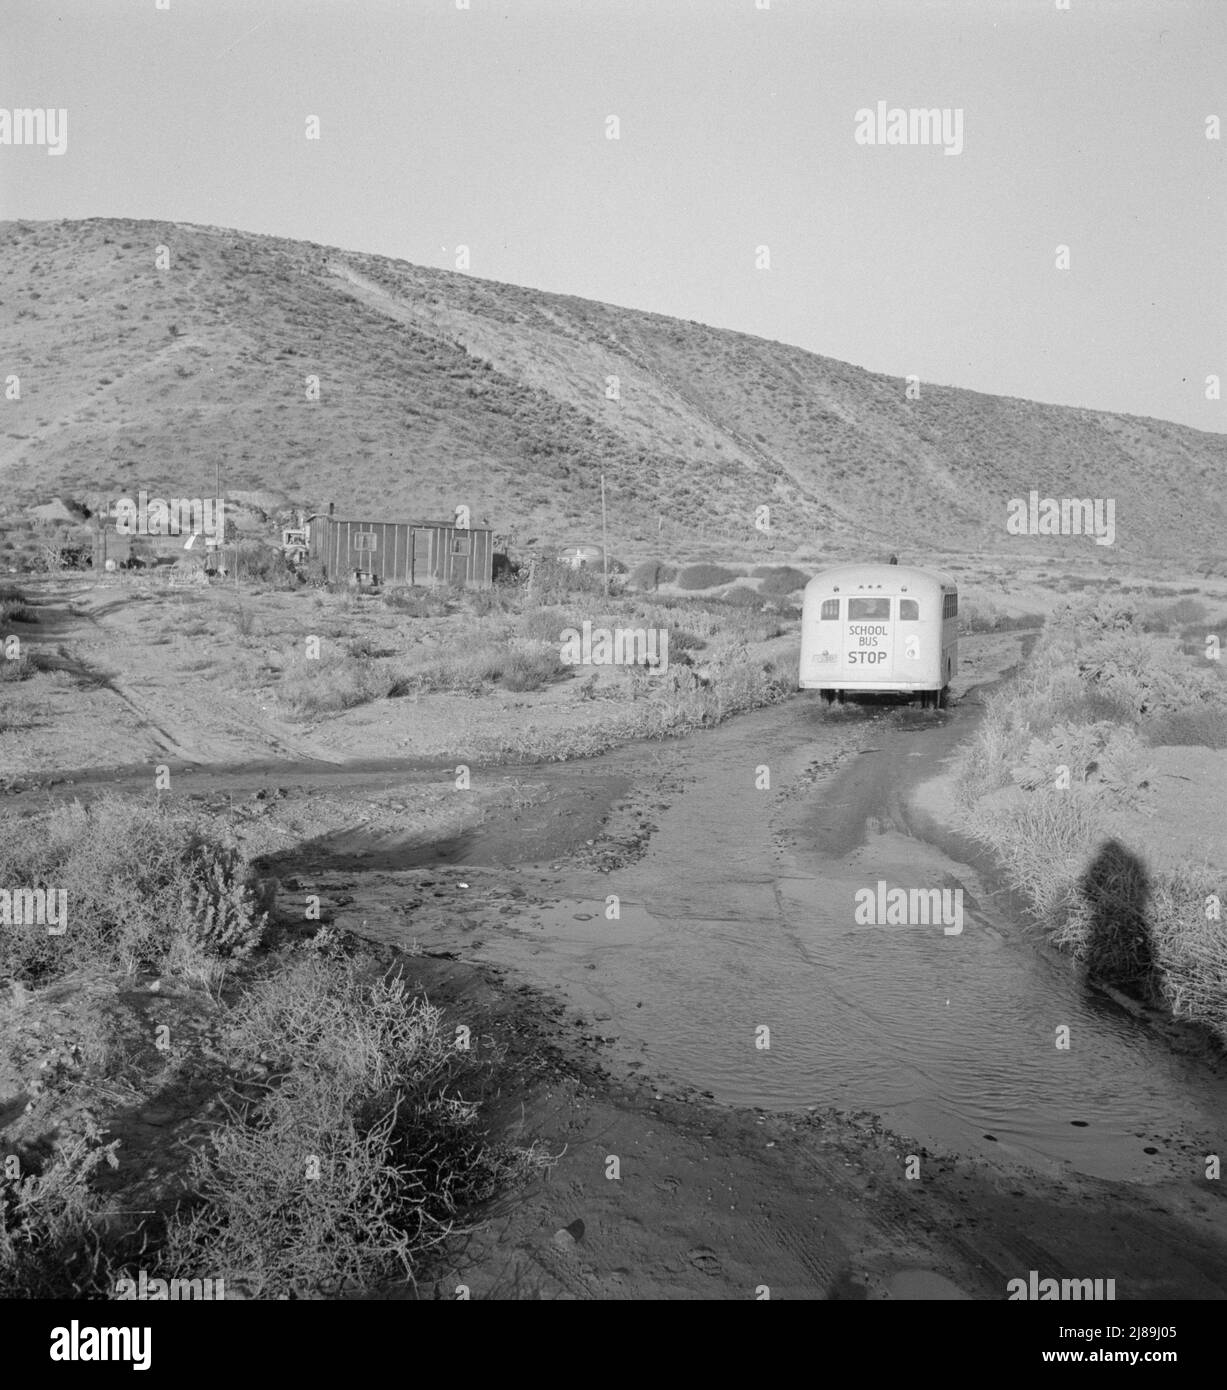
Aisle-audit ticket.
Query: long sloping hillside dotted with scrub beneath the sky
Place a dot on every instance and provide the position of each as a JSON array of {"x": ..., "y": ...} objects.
[{"x": 438, "y": 389}]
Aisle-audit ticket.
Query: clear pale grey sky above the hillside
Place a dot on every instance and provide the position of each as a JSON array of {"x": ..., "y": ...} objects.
[{"x": 1085, "y": 126}]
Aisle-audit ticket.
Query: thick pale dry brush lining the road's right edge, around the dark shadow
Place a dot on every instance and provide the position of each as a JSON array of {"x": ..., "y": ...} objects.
[{"x": 1096, "y": 689}]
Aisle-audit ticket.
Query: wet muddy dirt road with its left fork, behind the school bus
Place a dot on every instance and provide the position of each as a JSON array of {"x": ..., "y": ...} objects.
[{"x": 732, "y": 996}]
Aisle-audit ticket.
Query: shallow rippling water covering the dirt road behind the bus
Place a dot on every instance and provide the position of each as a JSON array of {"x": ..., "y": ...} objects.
[{"x": 743, "y": 917}]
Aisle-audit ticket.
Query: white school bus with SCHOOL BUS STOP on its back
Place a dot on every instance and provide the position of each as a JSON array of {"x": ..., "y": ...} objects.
[{"x": 880, "y": 628}]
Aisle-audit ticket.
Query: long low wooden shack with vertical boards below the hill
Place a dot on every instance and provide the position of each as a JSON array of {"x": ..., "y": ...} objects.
[{"x": 402, "y": 553}]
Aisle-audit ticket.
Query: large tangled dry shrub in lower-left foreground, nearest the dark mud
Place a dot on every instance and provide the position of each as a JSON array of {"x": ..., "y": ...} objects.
[{"x": 361, "y": 1156}]
